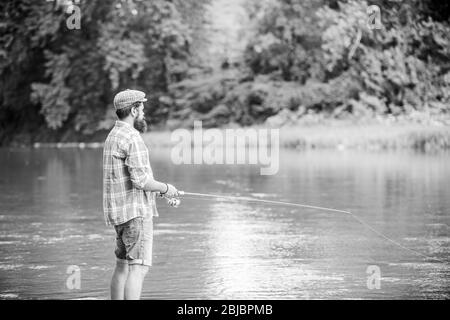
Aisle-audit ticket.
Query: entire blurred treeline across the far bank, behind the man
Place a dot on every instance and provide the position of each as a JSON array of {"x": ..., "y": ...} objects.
[{"x": 57, "y": 83}]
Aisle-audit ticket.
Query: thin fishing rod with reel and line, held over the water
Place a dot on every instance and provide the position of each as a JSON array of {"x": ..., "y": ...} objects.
[{"x": 175, "y": 202}]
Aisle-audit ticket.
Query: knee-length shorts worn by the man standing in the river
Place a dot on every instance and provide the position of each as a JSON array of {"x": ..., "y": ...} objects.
[{"x": 134, "y": 241}]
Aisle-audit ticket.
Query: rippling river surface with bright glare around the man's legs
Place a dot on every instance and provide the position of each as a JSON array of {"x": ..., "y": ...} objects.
[{"x": 51, "y": 218}]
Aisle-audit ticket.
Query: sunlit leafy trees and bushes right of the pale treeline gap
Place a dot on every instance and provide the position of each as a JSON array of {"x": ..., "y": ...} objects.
[{"x": 302, "y": 60}]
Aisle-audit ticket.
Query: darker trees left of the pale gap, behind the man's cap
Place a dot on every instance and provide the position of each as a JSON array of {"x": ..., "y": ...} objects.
[{"x": 57, "y": 81}]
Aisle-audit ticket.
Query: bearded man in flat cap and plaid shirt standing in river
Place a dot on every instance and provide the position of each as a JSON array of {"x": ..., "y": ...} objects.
[{"x": 129, "y": 190}]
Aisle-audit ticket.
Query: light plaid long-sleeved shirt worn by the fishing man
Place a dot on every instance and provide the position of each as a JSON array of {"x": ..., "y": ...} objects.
[{"x": 126, "y": 170}]
